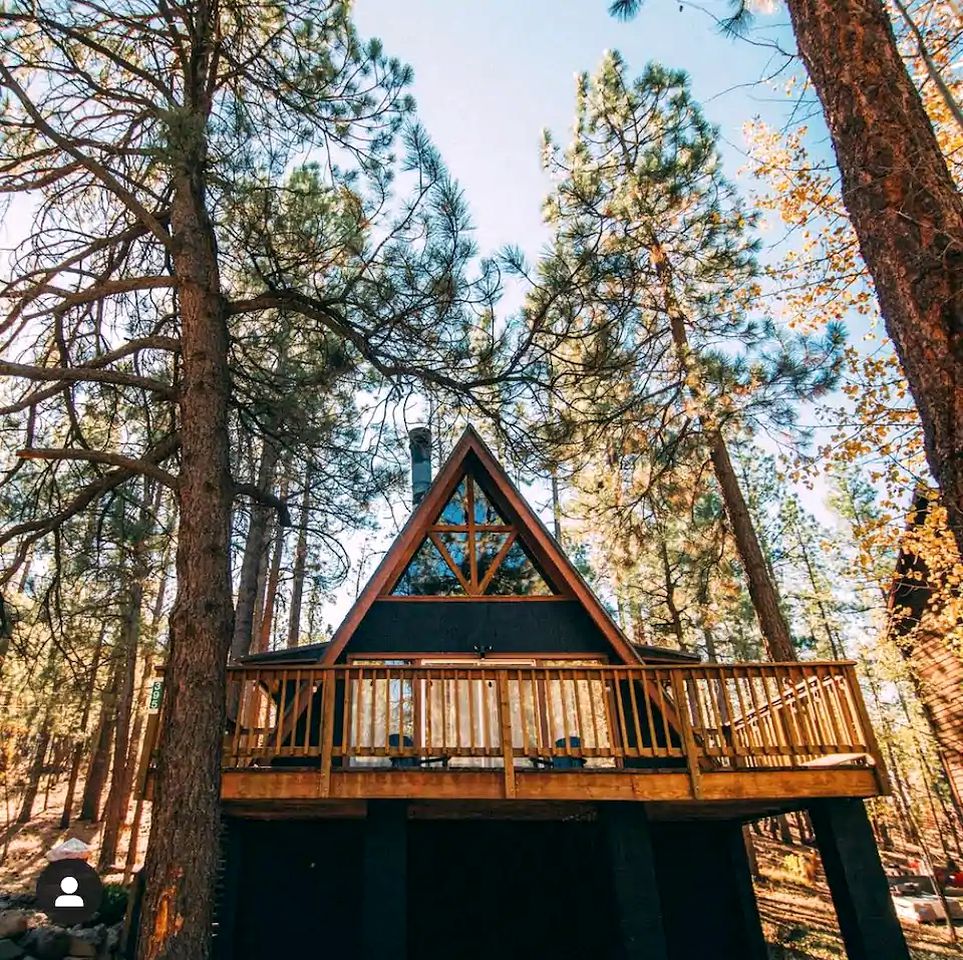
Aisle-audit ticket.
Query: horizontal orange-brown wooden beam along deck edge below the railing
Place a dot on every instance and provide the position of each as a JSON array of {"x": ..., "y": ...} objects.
[{"x": 764, "y": 787}]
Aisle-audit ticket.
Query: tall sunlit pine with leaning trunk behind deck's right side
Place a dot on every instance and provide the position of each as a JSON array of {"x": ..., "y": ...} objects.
[{"x": 656, "y": 252}]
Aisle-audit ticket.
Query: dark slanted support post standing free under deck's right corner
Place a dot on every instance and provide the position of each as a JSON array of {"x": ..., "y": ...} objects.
[{"x": 864, "y": 907}]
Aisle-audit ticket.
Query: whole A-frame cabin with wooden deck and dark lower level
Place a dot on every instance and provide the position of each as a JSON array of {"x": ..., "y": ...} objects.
[{"x": 480, "y": 764}]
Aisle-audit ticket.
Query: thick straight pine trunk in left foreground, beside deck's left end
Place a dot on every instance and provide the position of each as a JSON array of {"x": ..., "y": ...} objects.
[{"x": 183, "y": 850}]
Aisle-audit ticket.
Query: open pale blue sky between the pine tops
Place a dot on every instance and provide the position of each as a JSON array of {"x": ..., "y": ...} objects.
[{"x": 491, "y": 74}]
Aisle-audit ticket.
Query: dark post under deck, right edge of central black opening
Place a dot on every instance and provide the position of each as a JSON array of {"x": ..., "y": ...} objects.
[{"x": 625, "y": 829}]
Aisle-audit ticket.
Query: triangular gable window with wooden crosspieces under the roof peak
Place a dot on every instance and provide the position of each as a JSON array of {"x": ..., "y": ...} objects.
[{"x": 471, "y": 550}]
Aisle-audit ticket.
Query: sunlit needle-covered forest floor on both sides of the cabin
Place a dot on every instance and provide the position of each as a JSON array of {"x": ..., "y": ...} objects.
[{"x": 797, "y": 912}]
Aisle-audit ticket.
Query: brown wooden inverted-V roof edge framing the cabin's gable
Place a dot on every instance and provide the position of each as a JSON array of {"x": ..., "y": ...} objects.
[{"x": 471, "y": 455}]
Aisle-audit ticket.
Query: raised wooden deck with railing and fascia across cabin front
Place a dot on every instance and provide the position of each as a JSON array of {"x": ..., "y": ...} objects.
[{"x": 735, "y": 736}]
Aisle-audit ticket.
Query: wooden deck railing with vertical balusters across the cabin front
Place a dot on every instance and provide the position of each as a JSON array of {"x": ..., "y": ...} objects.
[{"x": 699, "y": 718}]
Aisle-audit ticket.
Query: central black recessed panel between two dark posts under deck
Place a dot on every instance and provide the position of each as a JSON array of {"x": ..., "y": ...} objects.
[{"x": 508, "y": 890}]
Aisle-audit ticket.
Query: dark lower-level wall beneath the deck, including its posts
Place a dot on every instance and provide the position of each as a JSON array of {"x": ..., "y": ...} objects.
[{"x": 613, "y": 886}]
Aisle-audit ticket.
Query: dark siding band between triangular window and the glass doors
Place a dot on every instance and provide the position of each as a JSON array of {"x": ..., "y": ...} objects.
[{"x": 453, "y": 626}]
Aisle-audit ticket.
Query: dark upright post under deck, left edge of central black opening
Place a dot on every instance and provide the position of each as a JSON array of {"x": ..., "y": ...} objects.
[{"x": 384, "y": 910}]
